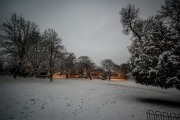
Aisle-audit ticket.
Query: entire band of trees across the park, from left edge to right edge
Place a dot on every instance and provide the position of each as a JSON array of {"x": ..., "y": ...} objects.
[{"x": 155, "y": 48}]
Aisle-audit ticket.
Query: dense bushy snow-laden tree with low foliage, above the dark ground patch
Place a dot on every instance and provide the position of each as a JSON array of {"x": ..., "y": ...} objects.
[{"x": 155, "y": 65}]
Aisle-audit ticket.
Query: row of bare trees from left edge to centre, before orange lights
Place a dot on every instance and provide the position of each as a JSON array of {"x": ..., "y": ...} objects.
[{"x": 25, "y": 51}]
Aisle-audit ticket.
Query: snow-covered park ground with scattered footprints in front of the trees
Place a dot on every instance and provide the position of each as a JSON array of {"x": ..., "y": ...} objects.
[{"x": 82, "y": 99}]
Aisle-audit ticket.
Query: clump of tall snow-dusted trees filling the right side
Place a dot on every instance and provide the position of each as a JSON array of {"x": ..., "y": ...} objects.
[{"x": 155, "y": 48}]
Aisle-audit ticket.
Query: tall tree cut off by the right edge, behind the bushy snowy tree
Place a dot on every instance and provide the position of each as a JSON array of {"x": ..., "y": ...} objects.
[{"x": 170, "y": 13}]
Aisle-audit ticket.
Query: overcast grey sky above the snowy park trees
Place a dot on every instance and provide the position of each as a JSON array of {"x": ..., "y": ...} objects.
[{"x": 87, "y": 27}]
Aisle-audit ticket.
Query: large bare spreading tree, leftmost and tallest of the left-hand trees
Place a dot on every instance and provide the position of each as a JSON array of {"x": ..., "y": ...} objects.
[{"x": 15, "y": 36}]
